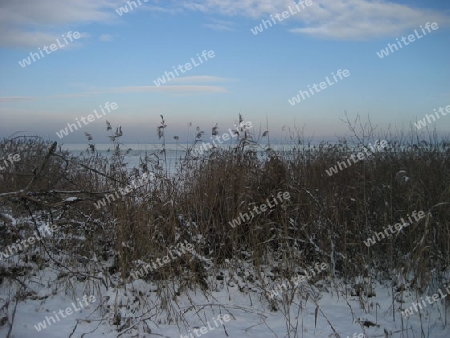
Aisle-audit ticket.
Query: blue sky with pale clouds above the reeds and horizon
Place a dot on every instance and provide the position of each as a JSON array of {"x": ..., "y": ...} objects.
[{"x": 117, "y": 59}]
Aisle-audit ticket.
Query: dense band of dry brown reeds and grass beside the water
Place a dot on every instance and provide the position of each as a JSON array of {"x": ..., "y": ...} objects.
[{"x": 325, "y": 220}]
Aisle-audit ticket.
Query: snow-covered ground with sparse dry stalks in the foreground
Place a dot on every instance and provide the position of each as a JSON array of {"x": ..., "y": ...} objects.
[{"x": 234, "y": 306}]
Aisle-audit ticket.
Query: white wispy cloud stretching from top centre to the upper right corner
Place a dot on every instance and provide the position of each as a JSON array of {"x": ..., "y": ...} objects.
[{"x": 333, "y": 19}]
